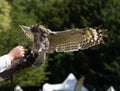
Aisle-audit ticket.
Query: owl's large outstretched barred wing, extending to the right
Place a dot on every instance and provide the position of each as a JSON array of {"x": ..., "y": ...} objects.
[{"x": 75, "y": 39}]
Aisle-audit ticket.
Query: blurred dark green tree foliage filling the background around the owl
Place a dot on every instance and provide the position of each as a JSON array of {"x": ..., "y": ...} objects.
[{"x": 100, "y": 64}]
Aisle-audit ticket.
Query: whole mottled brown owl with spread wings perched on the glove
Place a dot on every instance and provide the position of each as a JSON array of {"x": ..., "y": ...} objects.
[{"x": 44, "y": 40}]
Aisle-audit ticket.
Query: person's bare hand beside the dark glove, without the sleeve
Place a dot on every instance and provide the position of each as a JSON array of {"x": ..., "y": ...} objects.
[{"x": 16, "y": 53}]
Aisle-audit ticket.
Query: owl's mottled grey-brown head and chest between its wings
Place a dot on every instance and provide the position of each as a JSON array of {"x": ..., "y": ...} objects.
[{"x": 40, "y": 41}]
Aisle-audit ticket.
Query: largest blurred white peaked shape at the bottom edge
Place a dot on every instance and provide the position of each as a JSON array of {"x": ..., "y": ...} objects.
[{"x": 67, "y": 85}]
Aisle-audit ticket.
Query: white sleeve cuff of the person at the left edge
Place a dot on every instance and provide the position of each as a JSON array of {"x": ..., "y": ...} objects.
[{"x": 5, "y": 63}]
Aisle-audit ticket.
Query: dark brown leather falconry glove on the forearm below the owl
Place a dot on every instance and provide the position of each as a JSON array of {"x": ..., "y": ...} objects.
[{"x": 18, "y": 65}]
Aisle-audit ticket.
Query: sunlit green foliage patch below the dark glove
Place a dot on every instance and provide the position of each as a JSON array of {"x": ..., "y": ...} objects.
[{"x": 33, "y": 76}]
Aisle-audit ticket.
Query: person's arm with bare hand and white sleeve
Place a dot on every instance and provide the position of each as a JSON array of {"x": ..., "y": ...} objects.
[{"x": 15, "y": 54}]
